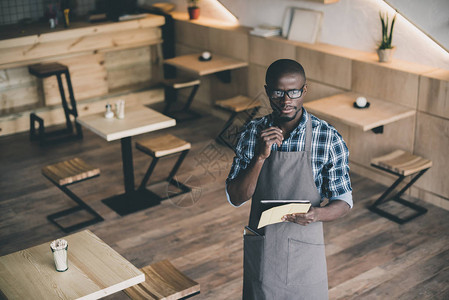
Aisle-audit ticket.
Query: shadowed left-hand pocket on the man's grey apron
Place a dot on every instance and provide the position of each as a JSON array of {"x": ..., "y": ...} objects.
[{"x": 253, "y": 256}]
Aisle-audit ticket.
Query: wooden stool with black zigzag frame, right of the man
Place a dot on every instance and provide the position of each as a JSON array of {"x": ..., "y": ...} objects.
[{"x": 402, "y": 164}]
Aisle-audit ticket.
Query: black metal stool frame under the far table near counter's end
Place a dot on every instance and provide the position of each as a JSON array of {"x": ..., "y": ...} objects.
[{"x": 171, "y": 96}]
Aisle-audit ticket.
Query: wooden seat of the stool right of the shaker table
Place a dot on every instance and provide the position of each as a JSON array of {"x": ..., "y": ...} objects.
[{"x": 162, "y": 145}]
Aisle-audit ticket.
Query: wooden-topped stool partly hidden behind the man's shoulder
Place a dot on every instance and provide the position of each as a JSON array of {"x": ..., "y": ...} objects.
[{"x": 236, "y": 105}]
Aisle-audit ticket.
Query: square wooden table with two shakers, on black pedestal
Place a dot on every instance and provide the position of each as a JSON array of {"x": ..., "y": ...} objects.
[{"x": 138, "y": 119}]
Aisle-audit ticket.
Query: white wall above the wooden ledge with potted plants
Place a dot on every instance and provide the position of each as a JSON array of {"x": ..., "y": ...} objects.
[{"x": 348, "y": 23}]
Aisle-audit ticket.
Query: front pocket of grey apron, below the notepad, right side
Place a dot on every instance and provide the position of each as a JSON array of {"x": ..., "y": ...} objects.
[{"x": 306, "y": 263}]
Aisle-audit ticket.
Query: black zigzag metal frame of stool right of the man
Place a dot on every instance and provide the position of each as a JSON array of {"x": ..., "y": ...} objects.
[{"x": 419, "y": 210}]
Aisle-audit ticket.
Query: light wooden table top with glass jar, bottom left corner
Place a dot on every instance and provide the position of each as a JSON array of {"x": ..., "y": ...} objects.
[{"x": 95, "y": 270}]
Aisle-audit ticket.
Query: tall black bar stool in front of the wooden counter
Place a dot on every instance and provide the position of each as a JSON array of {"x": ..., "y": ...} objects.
[{"x": 44, "y": 71}]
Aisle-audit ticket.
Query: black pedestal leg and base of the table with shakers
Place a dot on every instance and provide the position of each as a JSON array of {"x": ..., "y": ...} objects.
[{"x": 132, "y": 200}]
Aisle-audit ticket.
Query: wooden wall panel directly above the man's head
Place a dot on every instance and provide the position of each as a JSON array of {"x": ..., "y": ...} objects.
[{"x": 264, "y": 51}]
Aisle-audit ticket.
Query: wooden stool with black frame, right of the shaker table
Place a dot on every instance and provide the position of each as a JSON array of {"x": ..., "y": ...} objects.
[{"x": 163, "y": 146}]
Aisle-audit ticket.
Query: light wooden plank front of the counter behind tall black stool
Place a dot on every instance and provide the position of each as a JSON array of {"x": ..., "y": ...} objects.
[{"x": 105, "y": 61}]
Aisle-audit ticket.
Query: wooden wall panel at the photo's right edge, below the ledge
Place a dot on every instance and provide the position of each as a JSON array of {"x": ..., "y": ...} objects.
[{"x": 434, "y": 93}]
